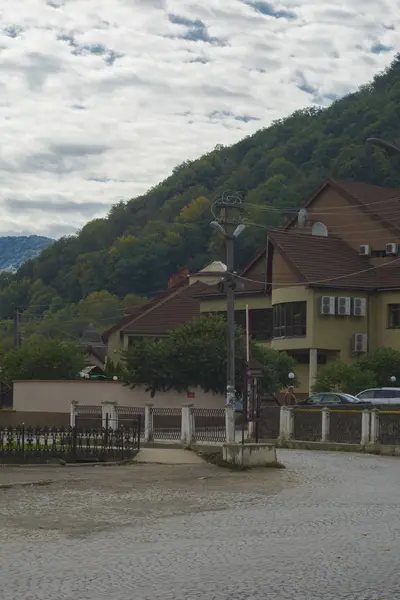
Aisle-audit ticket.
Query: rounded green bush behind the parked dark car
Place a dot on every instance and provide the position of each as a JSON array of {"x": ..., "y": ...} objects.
[{"x": 342, "y": 377}]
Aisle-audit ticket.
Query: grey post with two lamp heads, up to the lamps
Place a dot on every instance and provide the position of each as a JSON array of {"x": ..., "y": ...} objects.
[{"x": 230, "y": 232}]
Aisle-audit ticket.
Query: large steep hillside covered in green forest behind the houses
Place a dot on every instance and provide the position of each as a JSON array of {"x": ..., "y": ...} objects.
[{"x": 143, "y": 241}]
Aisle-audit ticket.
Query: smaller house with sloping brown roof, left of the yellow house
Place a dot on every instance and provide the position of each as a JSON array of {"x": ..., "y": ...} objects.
[{"x": 164, "y": 313}]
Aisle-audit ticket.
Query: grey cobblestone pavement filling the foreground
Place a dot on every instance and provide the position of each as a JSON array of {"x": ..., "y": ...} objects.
[{"x": 326, "y": 528}]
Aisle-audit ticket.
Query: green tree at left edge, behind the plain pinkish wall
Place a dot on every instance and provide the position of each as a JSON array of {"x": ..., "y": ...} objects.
[{"x": 49, "y": 359}]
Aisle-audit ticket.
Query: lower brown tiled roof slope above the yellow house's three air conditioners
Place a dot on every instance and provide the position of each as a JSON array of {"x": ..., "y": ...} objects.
[{"x": 325, "y": 260}]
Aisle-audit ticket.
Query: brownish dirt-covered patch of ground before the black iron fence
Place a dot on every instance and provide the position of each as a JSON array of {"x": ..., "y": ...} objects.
[{"x": 79, "y": 503}]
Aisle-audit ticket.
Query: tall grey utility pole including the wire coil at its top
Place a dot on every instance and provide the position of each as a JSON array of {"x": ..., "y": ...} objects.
[{"x": 231, "y": 230}]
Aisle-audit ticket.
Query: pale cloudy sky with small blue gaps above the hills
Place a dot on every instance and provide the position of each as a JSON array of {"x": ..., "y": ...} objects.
[{"x": 100, "y": 99}]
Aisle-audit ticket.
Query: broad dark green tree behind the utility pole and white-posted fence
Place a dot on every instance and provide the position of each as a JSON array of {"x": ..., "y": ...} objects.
[{"x": 194, "y": 355}]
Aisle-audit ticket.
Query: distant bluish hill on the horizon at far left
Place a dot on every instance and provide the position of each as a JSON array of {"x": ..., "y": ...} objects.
[{"x": 15, "y": 250}]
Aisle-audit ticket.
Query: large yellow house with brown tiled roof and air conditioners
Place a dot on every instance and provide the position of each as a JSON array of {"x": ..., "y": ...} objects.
[{"x": 330, "y": 290}]
